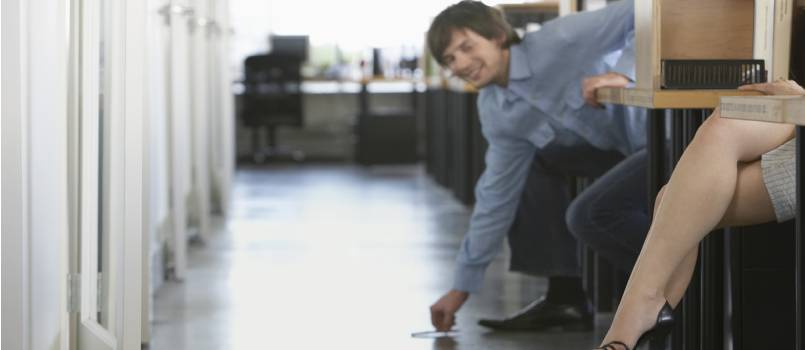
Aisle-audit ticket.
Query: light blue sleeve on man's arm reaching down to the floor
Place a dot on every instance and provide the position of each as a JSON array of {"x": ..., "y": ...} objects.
[{"x": 497, "y": 195}]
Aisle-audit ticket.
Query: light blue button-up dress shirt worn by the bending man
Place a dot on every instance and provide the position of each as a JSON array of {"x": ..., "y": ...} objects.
[{"x": 542, "y": 105}]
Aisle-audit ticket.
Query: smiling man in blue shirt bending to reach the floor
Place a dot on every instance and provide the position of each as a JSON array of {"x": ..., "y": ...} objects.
[{"x": 540, "y": 132}]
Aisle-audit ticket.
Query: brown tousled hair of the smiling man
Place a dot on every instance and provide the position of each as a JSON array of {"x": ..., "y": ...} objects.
[{"x": 487, "y": 21}]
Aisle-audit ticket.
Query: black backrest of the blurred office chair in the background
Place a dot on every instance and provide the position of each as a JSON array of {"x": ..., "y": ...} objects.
[{"x": 272, "y": 90}]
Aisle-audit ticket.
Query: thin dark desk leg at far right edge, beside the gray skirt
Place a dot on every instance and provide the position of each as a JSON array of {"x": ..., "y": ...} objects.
[{"x": 800, "y": 249}]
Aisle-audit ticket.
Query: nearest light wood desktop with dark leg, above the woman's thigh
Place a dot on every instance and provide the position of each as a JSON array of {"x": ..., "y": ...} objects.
[{"x": 781, "y": 109}]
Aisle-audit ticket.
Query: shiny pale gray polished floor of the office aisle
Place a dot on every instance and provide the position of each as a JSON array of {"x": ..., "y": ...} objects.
[{"x": 338, "y": 257}]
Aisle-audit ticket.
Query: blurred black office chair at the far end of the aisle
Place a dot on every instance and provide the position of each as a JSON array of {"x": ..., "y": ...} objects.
[{"x": 272, "y": 98}]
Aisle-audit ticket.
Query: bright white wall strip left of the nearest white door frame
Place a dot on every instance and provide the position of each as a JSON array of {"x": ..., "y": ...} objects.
[{"x": 45, "y": 86}]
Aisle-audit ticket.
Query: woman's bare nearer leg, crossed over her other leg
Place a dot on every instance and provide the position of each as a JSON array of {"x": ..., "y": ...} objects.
[{"x": 695, "y": 200}]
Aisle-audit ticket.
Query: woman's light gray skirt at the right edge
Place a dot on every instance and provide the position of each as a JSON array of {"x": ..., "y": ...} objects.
[{"x": 779, "y": 175}]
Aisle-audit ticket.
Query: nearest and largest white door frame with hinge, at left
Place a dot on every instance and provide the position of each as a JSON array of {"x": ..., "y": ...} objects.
[{"x": 125, "y": 118}]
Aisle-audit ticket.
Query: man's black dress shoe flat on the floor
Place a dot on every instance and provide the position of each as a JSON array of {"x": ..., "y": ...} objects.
[{"x": 543, "y": 315}]
